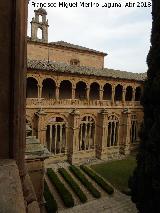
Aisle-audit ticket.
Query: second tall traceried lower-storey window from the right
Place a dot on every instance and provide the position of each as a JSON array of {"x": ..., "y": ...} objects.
[{"x": 113, "y": 125}]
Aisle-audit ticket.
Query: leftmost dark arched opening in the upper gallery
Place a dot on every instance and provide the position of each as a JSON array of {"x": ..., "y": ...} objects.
[{"x": 32, "y": 88}]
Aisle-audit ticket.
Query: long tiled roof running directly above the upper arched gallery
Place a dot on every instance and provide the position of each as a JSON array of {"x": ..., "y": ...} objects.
[{"x": 61, "y": 67}]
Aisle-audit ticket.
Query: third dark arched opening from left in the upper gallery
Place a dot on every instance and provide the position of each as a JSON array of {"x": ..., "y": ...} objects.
[{"x": 65, "y": 90}]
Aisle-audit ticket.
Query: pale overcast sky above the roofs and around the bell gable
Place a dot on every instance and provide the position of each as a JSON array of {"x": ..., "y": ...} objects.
[{"x": 123, "y": 33}]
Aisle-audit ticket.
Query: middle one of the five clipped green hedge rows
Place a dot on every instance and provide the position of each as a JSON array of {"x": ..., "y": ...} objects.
[{"x": 73, "y": 184}]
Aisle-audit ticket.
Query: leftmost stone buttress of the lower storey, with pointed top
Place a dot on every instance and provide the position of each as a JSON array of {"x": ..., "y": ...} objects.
[{"x": 41, "y": 129}]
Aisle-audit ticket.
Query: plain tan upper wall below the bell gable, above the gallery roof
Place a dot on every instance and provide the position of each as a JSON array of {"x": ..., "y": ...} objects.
[{"x": 59, "y": 54}]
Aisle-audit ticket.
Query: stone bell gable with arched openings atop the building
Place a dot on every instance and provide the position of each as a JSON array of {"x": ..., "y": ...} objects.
[{"x": 39, "y": 26}]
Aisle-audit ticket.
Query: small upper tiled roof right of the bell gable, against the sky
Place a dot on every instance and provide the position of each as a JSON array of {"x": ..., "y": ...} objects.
[{"x": 66, "y": 44}]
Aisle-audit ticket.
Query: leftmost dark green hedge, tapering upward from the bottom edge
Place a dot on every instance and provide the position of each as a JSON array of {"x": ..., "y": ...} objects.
[{"x": 51, "y": 204}]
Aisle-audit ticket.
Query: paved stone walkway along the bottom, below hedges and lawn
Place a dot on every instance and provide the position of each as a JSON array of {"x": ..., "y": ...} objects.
[{"x": 119, "y": 203}]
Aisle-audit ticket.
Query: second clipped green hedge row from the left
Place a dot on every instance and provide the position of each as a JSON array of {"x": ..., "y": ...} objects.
[{"x": 63, "y": 192}]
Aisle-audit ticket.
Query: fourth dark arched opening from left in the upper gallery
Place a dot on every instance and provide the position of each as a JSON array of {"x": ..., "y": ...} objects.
[{"x": 81, "y": 90}]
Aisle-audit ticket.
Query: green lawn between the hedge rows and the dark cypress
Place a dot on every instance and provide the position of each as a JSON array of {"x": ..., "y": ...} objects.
[{"x": 117, "y": 172}]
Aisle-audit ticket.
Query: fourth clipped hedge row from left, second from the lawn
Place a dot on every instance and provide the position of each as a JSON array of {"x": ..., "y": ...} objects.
[{"x": 76, "y": 171}]
